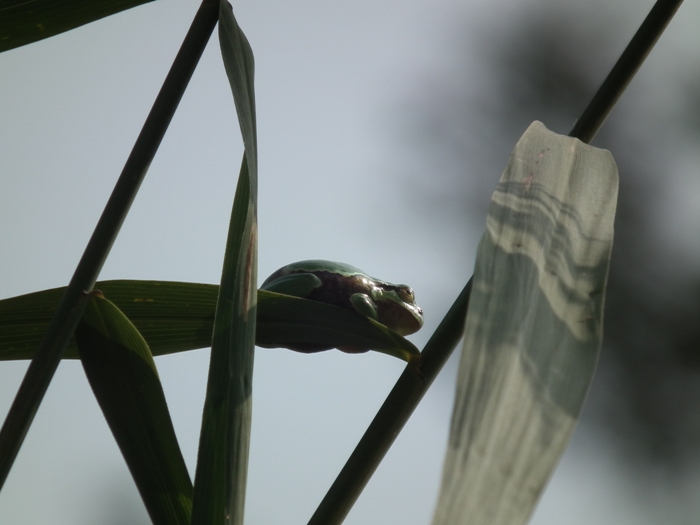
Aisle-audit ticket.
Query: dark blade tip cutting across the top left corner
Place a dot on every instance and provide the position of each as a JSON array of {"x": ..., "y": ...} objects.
[{"x": 25, "y": 21}]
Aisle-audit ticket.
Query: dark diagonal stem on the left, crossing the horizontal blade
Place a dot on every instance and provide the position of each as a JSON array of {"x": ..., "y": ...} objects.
[{"x": 68, "y": 313}]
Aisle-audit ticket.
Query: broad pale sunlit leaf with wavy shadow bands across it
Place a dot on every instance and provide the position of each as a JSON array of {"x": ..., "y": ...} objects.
[{"x": 533, "y": 329}]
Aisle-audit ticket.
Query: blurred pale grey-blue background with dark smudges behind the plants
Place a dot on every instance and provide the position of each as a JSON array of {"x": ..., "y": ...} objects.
[{"x": 383, "y": 129}]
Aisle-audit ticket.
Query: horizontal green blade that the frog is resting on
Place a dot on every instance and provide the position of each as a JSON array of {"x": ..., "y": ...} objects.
[{"x": 175, "y": 317}]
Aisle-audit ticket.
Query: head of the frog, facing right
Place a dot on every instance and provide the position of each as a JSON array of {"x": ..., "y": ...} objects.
[{"x": 397, "y": 308}]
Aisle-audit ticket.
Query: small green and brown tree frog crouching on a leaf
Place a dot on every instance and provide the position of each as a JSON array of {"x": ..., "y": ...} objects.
[{"x": 393, "y": 305}]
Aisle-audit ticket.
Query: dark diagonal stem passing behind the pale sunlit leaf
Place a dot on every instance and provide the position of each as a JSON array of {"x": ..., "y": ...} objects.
[{"x": 411, "y": 386}]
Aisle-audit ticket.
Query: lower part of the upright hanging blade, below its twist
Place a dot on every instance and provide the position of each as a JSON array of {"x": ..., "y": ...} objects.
[{"x": 222, "y": 461}]
